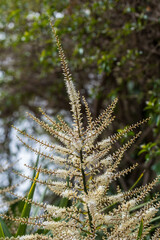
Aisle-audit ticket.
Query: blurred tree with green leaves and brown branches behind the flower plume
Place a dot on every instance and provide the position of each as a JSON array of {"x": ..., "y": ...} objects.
[{"x": 113, "y": 49}]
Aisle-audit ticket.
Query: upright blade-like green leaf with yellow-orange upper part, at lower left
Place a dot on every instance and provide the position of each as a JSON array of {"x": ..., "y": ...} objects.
[{"x": 26, "y": 209}]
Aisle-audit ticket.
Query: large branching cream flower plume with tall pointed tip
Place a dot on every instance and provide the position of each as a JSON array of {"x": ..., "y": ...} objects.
[{"x": 89, "y": 167}]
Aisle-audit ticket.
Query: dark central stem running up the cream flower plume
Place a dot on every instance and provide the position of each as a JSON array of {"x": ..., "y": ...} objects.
[{"x": 85, "y": 190}]
